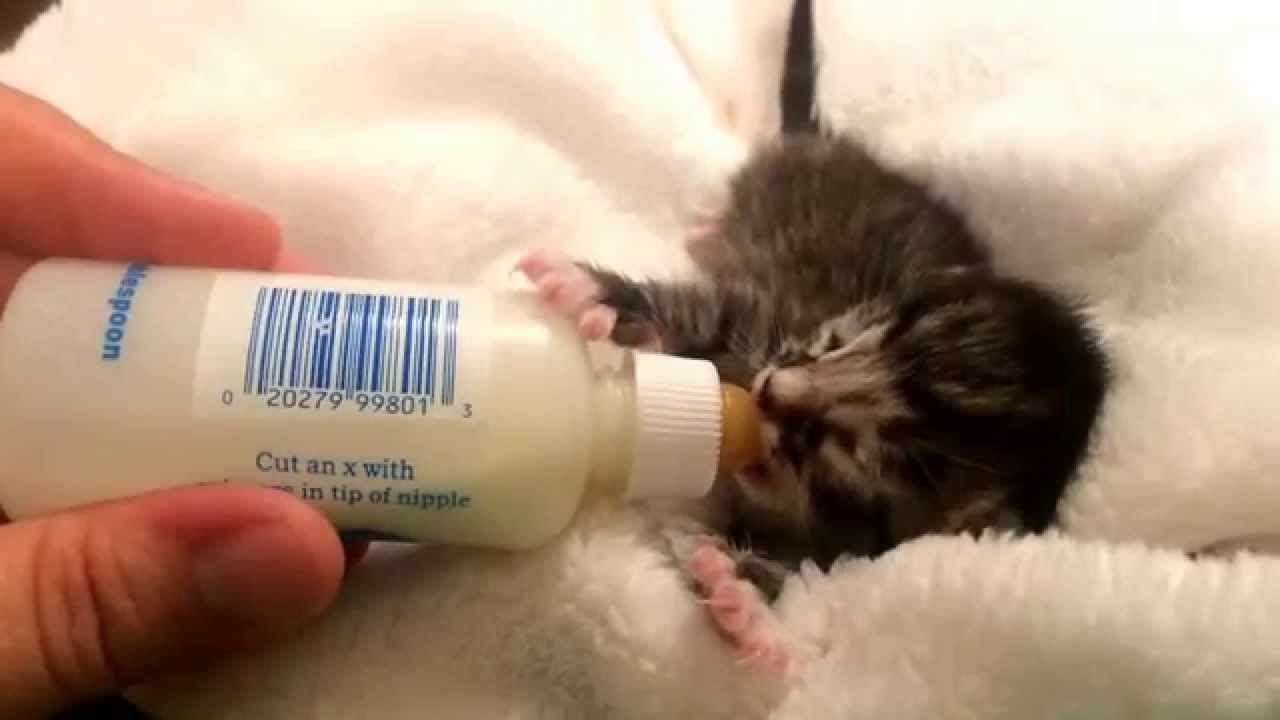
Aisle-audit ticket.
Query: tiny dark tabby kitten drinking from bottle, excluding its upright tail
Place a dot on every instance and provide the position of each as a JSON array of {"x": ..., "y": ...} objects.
[{"x": 908, "y": 388}]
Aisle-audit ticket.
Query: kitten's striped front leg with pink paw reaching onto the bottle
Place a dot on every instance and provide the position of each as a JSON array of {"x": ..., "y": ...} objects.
[{"x": 678, "y": 318}]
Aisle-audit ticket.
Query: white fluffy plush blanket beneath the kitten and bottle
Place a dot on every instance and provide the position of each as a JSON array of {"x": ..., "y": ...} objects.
[{"x": 1127, "y": 151}]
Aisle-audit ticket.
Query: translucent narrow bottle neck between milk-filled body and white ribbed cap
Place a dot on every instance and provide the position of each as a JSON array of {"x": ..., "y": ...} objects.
[{"x": 614, "y": 432}]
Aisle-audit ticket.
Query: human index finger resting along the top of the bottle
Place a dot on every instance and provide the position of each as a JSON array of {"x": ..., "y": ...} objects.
[{"x": 63, "y": 193}]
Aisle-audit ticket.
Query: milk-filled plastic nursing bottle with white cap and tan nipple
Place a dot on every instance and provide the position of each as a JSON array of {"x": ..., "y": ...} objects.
[{"x": 426, "y": 413}]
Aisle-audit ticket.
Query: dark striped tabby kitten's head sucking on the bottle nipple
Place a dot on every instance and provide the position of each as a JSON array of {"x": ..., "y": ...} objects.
[{"x": 966, "y": 407}]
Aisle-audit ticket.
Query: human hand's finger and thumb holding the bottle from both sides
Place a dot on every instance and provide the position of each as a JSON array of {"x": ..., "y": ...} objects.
[{"x": 95, "y": 600}]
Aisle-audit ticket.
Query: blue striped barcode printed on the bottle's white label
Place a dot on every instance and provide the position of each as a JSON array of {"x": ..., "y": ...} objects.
[{"x": 351, "y": 343}]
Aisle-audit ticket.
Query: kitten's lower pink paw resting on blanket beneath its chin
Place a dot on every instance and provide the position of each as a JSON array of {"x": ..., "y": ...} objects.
[{"x": 739, "y": 610}]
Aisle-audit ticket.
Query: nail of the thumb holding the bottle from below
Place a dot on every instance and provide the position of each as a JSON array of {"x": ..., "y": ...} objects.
[{"x": 262, "y": 576}]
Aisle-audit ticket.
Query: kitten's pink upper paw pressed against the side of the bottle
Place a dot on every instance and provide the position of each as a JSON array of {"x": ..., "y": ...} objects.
[{"x": 570, "y": 290}]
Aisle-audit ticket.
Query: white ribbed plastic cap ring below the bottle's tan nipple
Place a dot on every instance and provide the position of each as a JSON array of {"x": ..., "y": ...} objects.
[{"x": 678, "y": 427}]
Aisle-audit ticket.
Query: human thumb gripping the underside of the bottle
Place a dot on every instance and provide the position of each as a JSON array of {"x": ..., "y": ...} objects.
[{"x": 95, "y": 600}]
